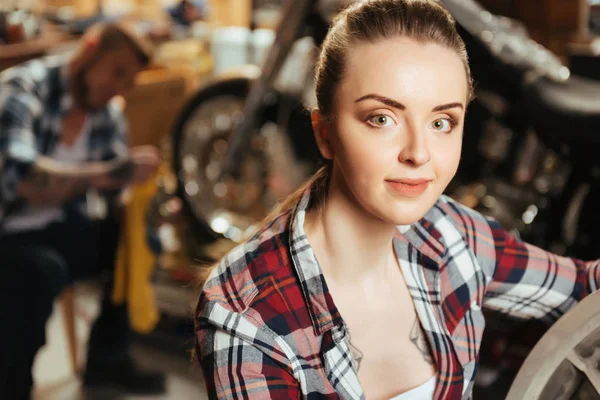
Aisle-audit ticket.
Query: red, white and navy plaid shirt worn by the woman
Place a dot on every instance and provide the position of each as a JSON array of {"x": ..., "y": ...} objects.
[{"x": 267, "y": 327}]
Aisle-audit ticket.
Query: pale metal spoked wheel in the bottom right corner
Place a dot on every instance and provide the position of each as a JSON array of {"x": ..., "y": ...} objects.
[{"x": 565, "y": 363}]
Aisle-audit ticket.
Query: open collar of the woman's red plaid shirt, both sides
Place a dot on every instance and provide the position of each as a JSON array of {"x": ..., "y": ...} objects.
[{"x": 423, "y": 236}]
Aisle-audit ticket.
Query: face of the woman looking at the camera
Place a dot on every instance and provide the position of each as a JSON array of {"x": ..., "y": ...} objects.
[{"x": 399, "y": 119}]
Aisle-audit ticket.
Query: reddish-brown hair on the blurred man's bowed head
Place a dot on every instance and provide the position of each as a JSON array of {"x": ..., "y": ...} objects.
[{"x": 113, "y": 35}]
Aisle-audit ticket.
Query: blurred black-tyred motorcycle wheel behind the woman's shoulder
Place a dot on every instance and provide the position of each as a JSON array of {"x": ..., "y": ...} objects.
[{"x": 232, "y": 208}]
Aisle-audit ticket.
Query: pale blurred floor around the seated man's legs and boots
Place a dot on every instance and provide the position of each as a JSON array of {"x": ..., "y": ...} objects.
[{"x": 55, "y": 379}]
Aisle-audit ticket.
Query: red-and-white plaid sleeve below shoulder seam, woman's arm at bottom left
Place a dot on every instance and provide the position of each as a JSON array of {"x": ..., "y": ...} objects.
[{"x": 234, "y": 368}]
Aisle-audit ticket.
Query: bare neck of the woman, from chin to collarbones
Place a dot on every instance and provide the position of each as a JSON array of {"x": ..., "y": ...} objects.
[{"x": 351, "y": 245}]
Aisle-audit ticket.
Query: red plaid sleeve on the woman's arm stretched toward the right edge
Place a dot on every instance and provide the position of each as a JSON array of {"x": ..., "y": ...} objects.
[{"x": 529, "y": 282}]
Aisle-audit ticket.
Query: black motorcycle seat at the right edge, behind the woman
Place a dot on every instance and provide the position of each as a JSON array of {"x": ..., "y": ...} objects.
[{"x": 566, "y": 112}]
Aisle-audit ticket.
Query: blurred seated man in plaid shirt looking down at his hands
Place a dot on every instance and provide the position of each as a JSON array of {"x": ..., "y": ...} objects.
[{"x": 63, "y": 162}]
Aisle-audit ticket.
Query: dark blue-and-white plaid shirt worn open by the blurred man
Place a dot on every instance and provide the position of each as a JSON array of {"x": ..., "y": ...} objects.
[{"x": 34, "y": 98}]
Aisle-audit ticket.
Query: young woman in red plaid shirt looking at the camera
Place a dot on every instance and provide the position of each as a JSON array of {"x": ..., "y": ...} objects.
[{"x": 369, "y": 282}]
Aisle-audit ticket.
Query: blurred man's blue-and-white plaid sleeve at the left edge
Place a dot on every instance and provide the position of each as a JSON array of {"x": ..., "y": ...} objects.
[{"x": 18, "y": 112}]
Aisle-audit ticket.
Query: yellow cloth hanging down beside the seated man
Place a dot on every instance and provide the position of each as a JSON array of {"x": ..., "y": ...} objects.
[{"x": 135, "y": 262}]
